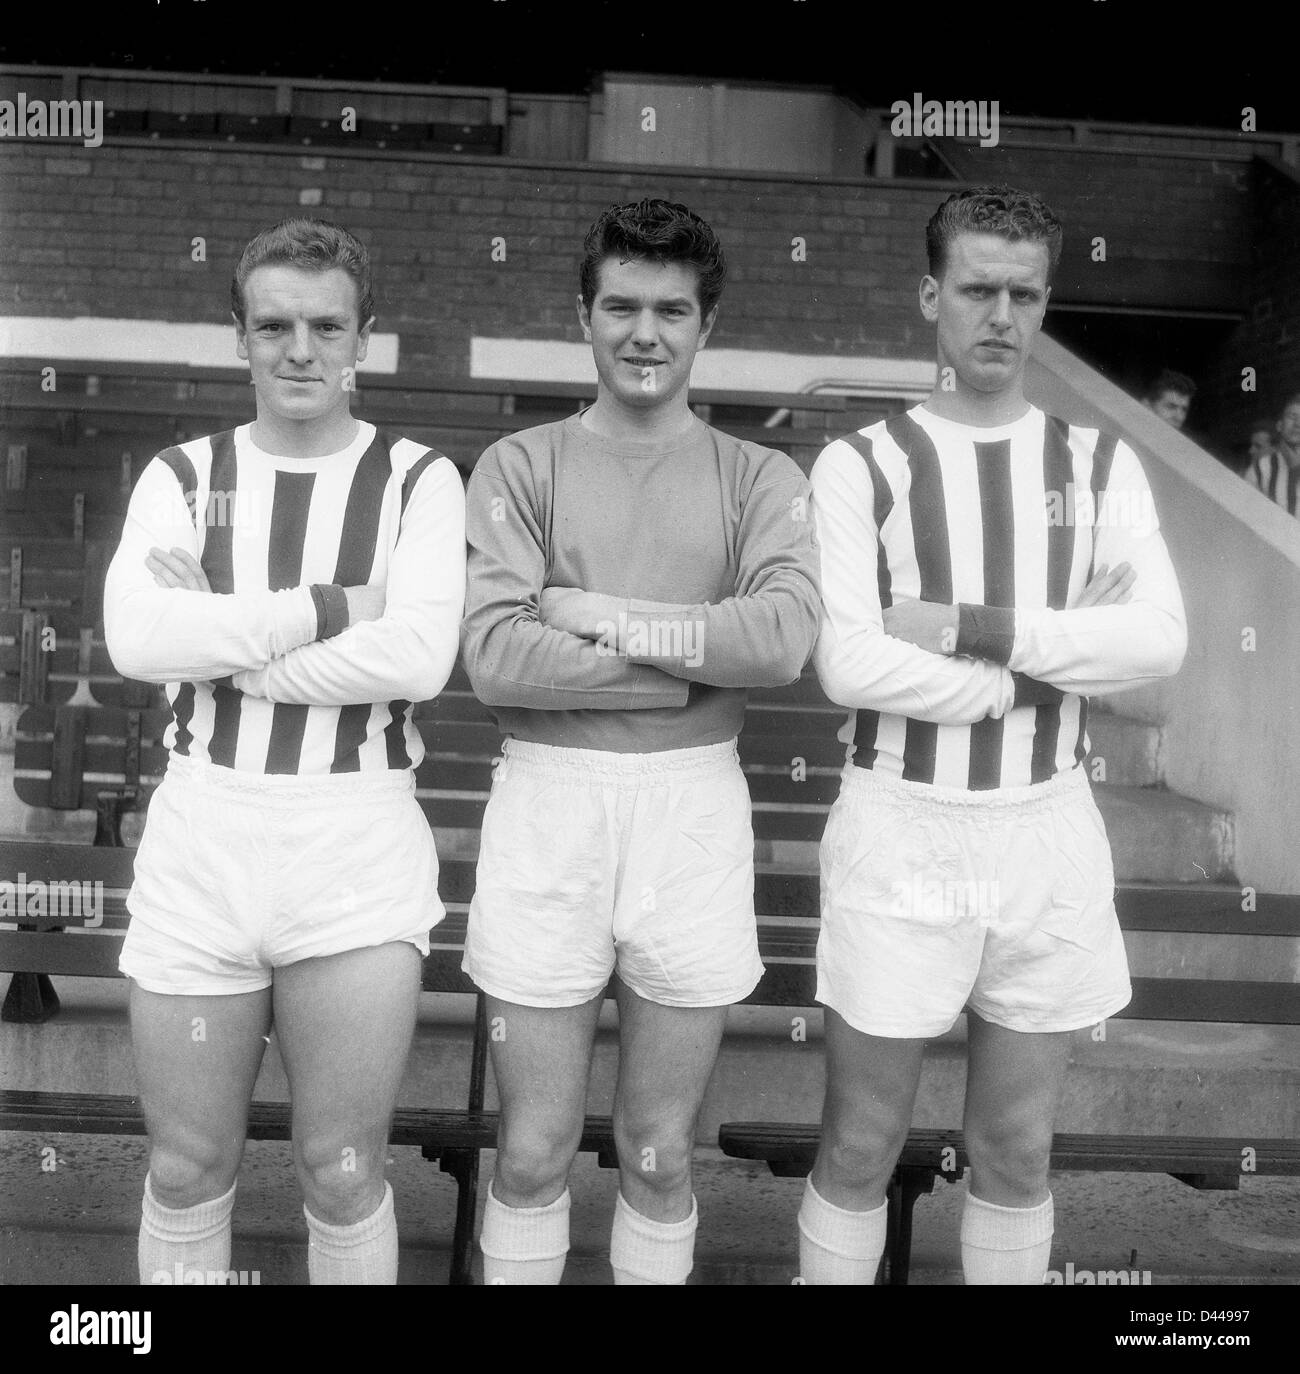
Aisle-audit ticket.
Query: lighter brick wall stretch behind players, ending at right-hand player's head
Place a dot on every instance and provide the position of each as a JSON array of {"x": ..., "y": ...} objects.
[{"x": 108, "y": 232}]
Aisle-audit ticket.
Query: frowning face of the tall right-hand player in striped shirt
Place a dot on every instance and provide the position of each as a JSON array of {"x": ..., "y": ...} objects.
[{"x": 989, "y": 306}]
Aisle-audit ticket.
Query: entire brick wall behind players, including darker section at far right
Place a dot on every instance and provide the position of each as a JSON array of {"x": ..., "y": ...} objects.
[{"x": 108, "y": 232}]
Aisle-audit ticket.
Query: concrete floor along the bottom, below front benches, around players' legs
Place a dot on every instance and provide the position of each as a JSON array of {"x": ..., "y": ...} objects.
[{"x": 76, "y": 1224}]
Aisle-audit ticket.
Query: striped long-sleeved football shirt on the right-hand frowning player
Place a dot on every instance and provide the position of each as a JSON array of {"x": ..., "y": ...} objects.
[{"x": 1009, "y": 524}]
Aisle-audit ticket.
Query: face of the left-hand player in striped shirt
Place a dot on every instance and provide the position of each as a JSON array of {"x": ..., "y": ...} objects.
[{"x": 303, "y": 340}]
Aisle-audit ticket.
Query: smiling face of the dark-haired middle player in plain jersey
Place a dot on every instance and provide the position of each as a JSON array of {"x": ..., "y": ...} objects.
[{"x": 645, "y": 329}]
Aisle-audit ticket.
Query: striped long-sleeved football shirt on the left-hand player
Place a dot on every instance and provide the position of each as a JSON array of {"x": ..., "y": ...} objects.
[{"x": 251, "y": 682}]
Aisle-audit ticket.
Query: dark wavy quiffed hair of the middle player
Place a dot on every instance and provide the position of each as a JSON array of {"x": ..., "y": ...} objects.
[{"x": 662, "y": 232}]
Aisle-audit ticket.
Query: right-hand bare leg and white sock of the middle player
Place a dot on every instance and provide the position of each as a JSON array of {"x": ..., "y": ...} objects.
[{"x": 666, "y": 1060}]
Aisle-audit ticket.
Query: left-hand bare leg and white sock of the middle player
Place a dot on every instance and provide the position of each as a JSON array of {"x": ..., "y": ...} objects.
[{"x": 541, "y": 1060}]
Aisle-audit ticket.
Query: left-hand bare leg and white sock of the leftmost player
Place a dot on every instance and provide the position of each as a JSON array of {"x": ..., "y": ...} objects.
[{"x": 197, "y": 1060}]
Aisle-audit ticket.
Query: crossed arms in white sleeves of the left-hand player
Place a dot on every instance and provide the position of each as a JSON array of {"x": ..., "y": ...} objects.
[{"x": 163, "y": 623}]
